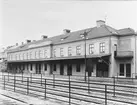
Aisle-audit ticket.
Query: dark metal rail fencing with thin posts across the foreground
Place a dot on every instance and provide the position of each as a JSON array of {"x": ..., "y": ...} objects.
[{"x": 70, "y": 91}]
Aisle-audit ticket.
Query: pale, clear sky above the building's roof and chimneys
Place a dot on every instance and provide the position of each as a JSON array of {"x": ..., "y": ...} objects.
[{"x": 30, "y": 19}]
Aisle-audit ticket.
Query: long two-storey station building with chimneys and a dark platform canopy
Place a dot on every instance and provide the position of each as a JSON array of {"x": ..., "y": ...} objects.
[{"x": 105, "y": 51}]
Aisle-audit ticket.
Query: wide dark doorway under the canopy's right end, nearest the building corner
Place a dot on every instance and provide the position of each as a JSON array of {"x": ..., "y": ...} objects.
[{"x": 102, "y": 70}]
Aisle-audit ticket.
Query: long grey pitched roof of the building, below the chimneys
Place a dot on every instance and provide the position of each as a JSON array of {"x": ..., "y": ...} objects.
[{"x": 94, "y": 32}]
